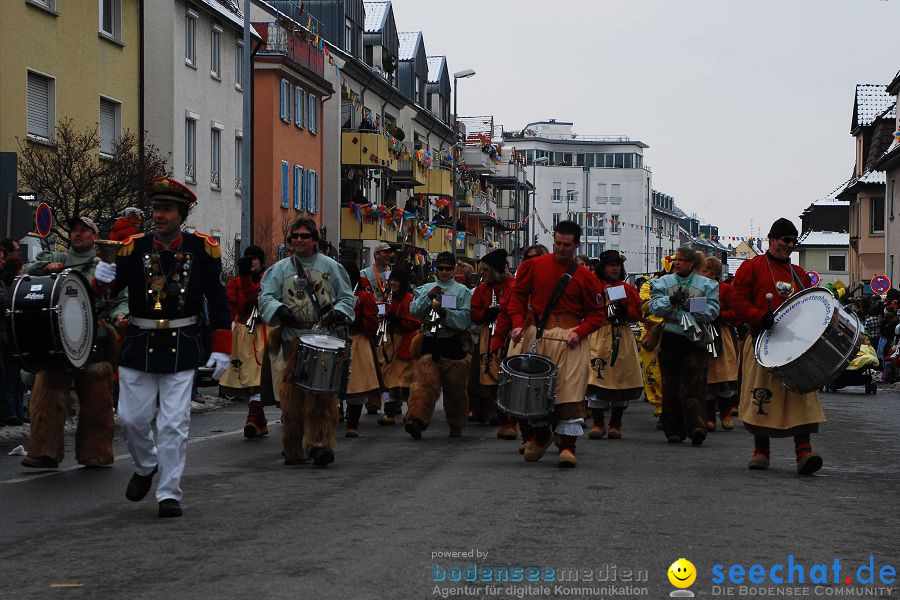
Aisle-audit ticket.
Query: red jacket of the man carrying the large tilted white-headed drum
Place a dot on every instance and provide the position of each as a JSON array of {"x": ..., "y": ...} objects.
[{"x": 757, "y": 277}]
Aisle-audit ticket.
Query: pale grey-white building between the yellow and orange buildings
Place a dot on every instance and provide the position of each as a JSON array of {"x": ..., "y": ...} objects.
[{"x": 193, "y": 105}]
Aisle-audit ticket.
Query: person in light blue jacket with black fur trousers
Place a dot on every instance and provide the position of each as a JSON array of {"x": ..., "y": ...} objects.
[{"x": 687, "y": 301}]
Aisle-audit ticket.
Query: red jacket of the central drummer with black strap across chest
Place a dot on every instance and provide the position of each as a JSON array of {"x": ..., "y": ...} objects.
[{"x": 534, "y": 284}]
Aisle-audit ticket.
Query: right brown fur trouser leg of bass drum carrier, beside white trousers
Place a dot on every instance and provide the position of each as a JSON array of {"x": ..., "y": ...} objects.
[{"x": 96, "y": 425}]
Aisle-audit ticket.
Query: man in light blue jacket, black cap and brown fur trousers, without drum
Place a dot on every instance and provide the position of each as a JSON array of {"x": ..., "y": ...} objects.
[{"x": 443, "y": 364}]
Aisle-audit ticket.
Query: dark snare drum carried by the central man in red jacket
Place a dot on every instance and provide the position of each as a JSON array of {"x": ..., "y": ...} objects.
[{"x": 527, "y": 386}]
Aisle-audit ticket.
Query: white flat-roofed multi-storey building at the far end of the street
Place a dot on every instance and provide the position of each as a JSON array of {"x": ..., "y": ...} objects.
[{"x": 601, "y": 182}]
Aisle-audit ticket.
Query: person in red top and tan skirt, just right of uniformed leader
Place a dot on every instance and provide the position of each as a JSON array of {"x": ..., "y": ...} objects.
[{"x": 248, "y": 341}]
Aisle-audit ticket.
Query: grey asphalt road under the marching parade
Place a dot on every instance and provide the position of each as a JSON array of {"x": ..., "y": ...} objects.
[{"x": 380, "y": 521}]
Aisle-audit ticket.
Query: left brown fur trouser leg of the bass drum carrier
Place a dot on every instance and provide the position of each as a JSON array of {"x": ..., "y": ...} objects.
[{"x": 49, "y": 407}]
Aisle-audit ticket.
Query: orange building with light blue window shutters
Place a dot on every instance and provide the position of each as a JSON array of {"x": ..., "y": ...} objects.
[{"x": 289, "y": 89}]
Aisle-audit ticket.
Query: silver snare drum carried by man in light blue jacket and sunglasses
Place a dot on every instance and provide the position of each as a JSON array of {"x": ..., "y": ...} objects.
[{"x": 321, "y": 364}]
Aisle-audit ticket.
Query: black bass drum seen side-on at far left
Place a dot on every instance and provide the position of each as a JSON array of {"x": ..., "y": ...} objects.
[{"x": 51, "y": 321}]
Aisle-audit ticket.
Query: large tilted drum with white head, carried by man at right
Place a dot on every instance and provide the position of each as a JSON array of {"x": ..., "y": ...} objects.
[{"x": 812, "y": 342}]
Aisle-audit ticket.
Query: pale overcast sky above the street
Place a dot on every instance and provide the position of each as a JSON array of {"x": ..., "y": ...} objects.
[{"x": 746, "y": 104}]
